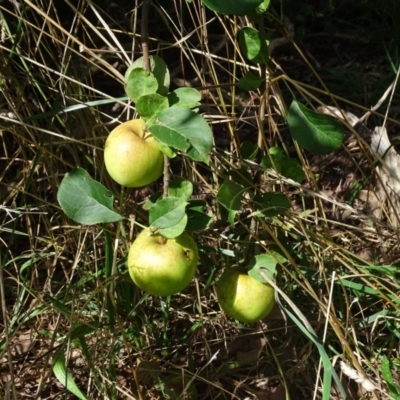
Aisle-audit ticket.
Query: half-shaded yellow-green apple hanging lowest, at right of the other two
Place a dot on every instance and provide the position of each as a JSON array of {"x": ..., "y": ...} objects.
[{"x": 244, "y": 298}]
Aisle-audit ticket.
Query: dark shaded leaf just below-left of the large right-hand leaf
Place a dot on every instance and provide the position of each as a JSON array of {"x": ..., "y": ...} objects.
[{"x": 283, "y": 164}]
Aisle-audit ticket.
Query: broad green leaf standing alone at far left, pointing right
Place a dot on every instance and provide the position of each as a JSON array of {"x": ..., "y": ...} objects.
[{"x": 85, "y": 200}]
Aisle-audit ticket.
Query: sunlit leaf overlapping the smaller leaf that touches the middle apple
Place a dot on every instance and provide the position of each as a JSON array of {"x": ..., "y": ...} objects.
[{"x": 167, "y": 212}]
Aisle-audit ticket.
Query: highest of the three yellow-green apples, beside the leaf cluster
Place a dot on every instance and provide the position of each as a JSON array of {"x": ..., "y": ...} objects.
[{"x": 132, "y": 156}]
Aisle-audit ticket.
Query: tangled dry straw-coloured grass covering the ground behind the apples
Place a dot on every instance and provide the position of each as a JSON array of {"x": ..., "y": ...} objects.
[{"x": 65, "y": 293}]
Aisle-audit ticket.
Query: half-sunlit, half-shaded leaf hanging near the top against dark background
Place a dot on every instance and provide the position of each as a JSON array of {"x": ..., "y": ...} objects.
[{"x": 254, "y": 45}]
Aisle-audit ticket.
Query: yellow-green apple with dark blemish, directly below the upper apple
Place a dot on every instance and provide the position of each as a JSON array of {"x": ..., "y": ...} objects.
[{"x": 161, "y": 266}]
